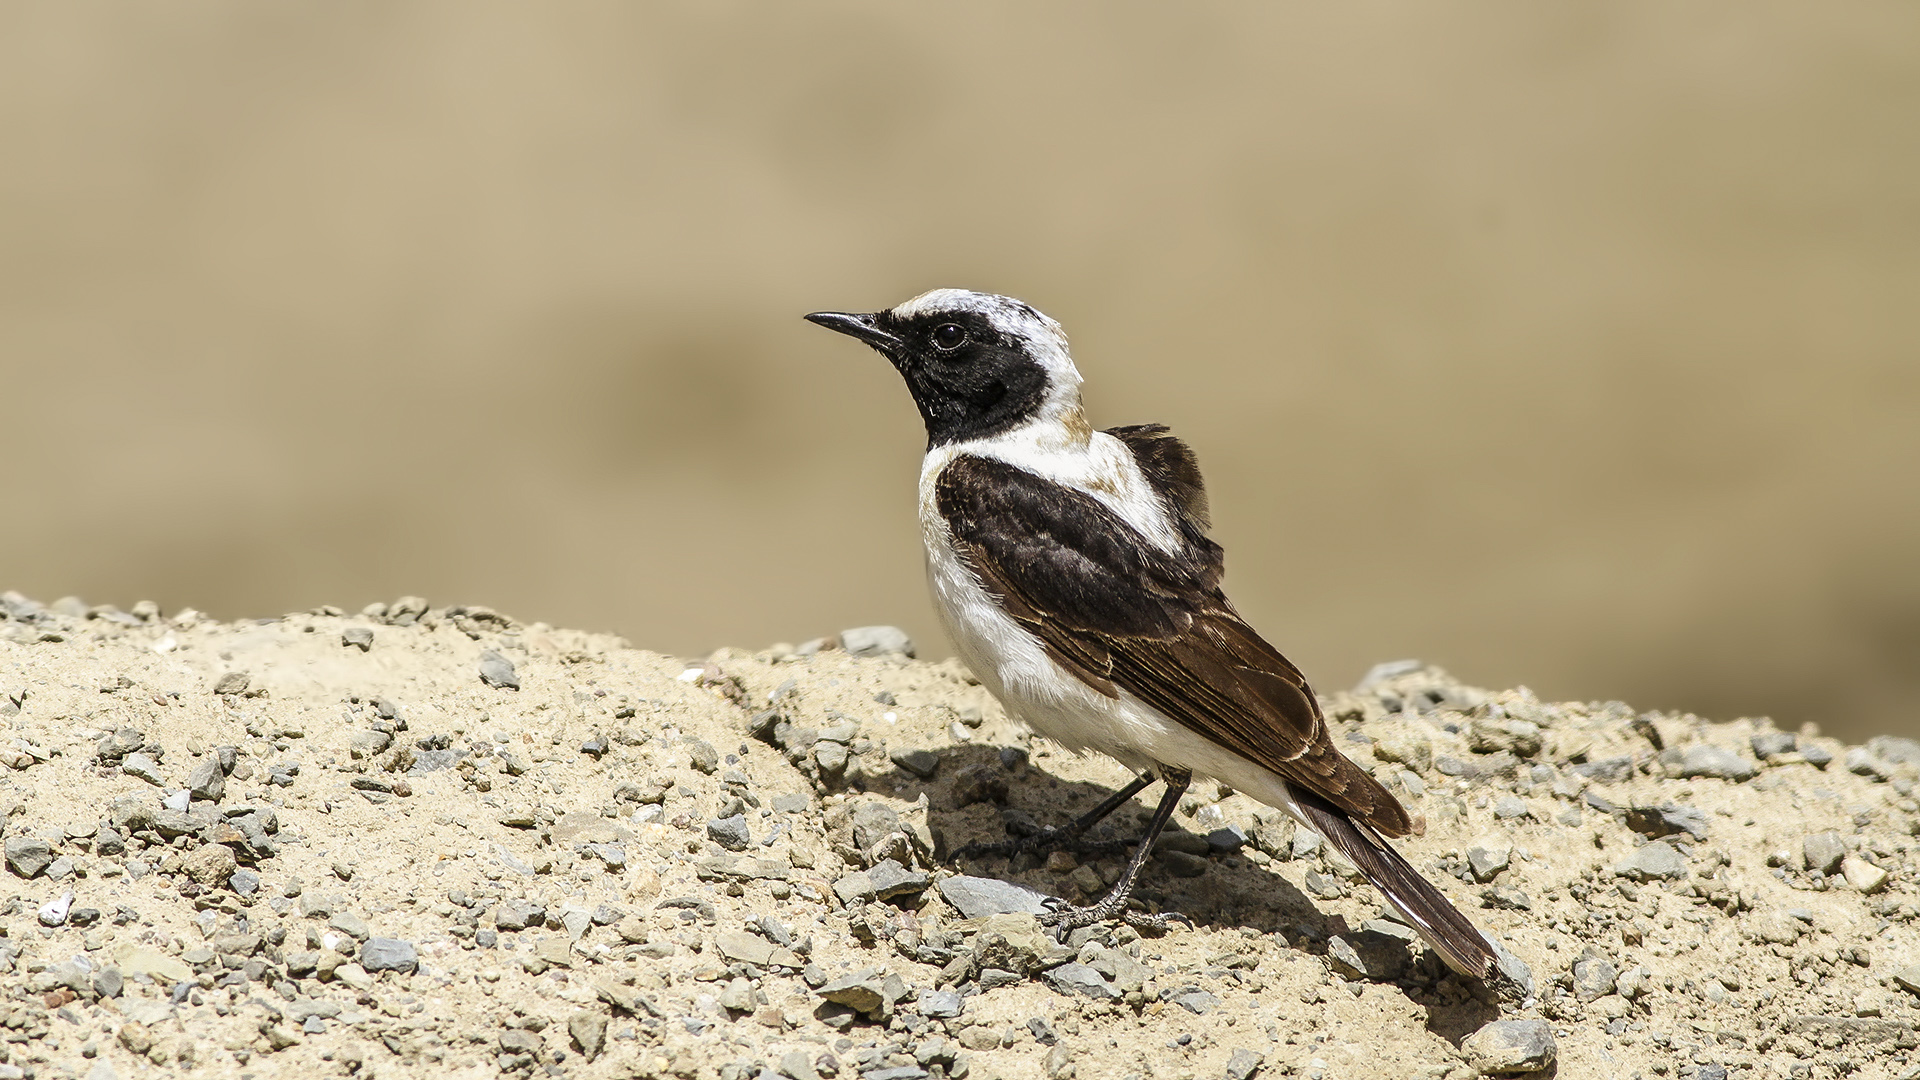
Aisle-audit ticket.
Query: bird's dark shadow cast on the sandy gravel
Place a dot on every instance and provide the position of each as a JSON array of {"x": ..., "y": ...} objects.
[{"x": 1234, "y": 893}]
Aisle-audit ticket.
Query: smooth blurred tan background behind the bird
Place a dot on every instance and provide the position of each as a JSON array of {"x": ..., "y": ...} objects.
[{"x": 1560, "y": 345}]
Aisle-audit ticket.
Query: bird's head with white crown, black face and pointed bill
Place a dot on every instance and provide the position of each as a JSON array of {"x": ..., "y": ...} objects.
[{"x": 976, "y": 364}]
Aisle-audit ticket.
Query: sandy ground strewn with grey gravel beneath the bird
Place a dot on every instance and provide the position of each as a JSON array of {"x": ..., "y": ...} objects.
[{"x": 435, "y": 841}]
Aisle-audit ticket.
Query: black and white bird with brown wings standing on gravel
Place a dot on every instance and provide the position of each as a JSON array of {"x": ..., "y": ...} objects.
[{"x": 1074, "y": 574}]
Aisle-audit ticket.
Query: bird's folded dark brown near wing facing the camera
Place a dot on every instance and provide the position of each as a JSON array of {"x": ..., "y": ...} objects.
[{"x": 1120, "y": 614}]
